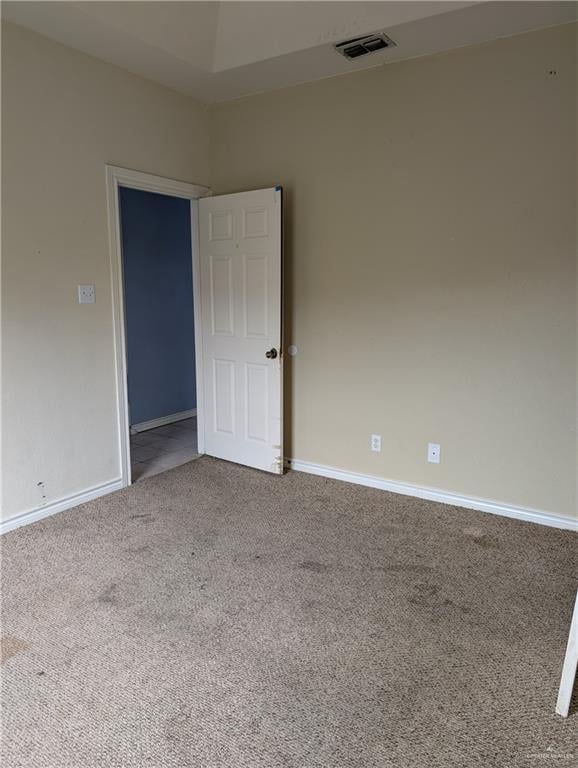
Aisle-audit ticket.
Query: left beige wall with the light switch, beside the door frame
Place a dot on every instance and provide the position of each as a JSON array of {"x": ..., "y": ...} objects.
[{"x": 64, "y": 115}]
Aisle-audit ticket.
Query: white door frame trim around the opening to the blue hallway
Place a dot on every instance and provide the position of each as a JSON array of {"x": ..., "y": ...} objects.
[{"x": 123, "y": 177}]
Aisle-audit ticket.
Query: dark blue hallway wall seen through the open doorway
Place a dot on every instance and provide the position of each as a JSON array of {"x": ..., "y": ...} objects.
[{"x": 158, "y": 288}]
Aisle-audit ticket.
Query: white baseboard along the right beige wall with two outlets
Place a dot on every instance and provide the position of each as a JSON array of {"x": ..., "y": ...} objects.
[{"x": 433, "y": 494}]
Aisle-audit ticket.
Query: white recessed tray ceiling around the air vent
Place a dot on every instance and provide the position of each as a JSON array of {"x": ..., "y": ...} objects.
[{"x": 216, "y": 51}]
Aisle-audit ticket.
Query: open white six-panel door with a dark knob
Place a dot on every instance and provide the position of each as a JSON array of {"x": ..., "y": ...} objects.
[{"x": 240, "y": 255}]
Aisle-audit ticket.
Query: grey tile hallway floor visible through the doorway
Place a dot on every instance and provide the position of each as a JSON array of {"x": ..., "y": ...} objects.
[{"x": 157, "y": 450}]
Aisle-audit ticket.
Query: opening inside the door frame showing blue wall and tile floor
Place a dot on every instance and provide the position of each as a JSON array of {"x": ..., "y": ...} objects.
[{"x": 159, "y": 330}]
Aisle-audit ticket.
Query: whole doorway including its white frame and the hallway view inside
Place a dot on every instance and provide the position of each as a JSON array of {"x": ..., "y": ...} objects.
[{"x": 154, "y": 250}]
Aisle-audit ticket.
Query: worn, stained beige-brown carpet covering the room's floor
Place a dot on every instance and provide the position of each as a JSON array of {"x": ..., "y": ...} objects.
[{"x": 214, "y": 616}]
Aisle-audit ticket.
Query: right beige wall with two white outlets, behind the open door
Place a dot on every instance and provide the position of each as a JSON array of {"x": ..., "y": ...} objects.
[{"x": 431, "y": 263}]
